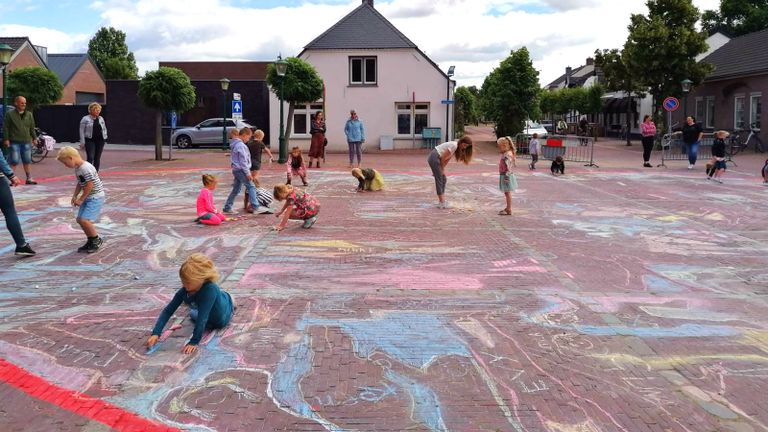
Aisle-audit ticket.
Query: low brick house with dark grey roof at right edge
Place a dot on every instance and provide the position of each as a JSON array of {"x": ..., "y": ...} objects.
[{"x": 731, "y": 97}]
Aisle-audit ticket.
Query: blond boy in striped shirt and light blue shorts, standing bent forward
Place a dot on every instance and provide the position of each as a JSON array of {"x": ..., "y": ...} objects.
[{"x": 89, "y": 195}]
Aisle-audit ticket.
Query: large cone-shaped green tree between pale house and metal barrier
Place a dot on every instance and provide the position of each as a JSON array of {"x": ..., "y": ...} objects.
[{"x": 509, "y": 95}]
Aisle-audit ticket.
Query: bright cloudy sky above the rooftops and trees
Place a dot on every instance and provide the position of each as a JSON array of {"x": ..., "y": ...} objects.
[{"x": 473, "y": 35}]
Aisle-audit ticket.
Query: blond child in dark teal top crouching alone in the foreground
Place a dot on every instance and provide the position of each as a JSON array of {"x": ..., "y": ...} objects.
[{"x": 210, "y": 307}]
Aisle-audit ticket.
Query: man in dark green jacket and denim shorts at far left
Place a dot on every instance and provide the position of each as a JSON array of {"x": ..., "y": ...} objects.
[{"x": 19, "y": 134}]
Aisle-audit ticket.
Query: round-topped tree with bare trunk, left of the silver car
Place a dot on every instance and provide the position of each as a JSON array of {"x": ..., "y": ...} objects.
[{"x": 166, "y": 89}]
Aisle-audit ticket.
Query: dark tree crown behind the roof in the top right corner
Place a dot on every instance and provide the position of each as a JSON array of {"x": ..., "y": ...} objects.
[{"x": 736, "y": 17}]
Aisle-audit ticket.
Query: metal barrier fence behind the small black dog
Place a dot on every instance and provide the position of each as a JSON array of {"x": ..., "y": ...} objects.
[{"x": 572, "y": 148}]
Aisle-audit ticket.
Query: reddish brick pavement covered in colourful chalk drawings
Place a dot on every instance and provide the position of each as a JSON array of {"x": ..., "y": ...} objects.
[{"x": 614, "y": 299}]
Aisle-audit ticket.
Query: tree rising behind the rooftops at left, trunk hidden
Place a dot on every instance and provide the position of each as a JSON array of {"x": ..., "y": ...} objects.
[{"x": 108, "y": 50}]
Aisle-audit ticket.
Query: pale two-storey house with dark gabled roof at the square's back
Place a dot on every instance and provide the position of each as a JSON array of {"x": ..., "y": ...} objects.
[{"x": 368, "y": 66}]
